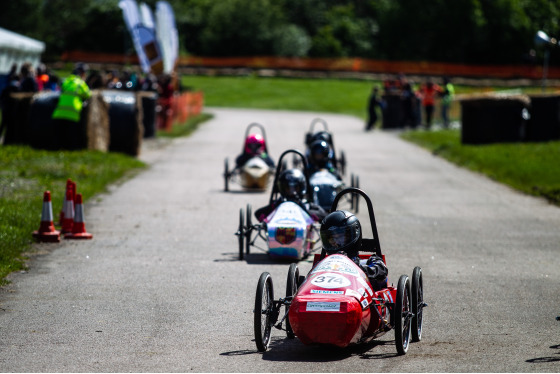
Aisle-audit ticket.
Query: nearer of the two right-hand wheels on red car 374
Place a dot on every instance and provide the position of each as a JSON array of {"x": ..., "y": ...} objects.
[{"x": 402, "y": 315}]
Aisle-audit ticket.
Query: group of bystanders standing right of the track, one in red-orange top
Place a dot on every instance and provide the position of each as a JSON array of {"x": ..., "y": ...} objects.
[{"x": 416, "y": 104}]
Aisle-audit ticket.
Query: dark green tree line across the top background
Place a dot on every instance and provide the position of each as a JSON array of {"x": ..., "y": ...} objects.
[{"x": 462, "y": 31}]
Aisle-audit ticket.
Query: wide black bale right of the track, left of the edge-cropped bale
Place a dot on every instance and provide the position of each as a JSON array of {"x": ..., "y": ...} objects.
[{"x": 489, "y": 118}]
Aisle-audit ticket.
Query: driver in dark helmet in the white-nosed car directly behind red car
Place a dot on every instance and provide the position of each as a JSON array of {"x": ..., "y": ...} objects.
[{"x": 292, "y": 187}]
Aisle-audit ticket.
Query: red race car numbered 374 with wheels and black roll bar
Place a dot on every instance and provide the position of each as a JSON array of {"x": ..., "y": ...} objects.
[{"x": 337, "y": 305}]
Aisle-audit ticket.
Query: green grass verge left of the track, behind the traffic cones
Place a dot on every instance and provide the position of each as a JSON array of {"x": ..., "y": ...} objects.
[{"x": 26, "y": 173}]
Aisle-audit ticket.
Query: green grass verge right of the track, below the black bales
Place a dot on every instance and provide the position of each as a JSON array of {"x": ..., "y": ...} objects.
[{"x": 533, "y": 168}]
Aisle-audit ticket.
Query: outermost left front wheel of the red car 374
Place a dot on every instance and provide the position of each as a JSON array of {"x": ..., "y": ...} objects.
[{"x": 263, "y": 308}]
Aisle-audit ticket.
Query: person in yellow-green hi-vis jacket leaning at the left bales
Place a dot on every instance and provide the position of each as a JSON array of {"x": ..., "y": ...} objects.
[{"x": 74, "y": 91}]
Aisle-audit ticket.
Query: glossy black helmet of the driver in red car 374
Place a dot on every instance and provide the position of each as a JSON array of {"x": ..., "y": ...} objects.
[{"x": 341, "y": 231}]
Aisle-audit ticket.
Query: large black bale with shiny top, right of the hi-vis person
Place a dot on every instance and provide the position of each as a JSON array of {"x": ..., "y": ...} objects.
[{"x": 125, "y": 121}]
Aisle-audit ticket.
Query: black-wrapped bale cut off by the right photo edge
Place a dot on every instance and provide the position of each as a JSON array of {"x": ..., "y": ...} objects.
[{"x": 544, "y": 124}]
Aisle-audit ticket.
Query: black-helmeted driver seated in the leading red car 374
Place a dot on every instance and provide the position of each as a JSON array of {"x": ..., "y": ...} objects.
[{"x": 341, "y": 232}]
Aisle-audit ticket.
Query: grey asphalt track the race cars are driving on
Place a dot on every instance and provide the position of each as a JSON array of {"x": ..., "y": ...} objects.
[{"x": 160, "y": 289}]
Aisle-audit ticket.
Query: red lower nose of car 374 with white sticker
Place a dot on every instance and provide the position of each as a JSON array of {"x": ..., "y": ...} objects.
[{"x": 331, "y": 322}]
